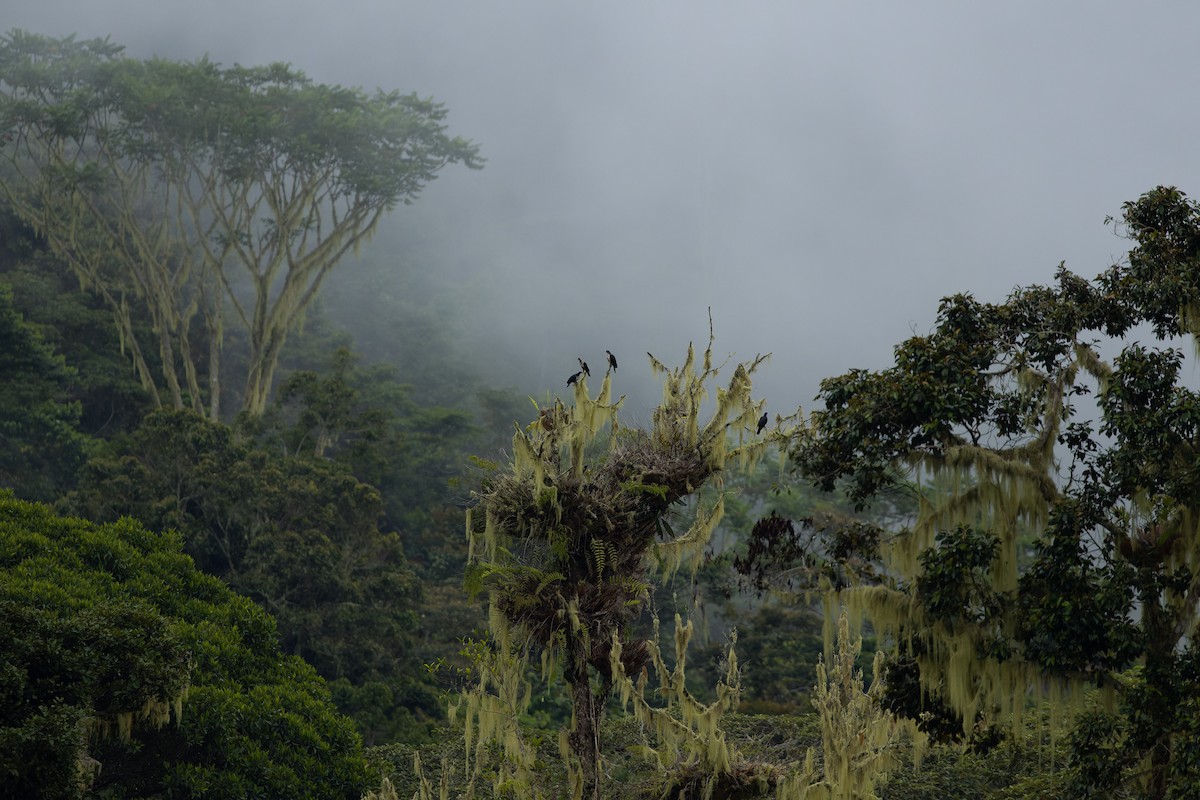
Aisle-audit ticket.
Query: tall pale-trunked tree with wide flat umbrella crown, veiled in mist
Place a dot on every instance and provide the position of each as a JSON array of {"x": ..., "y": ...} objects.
[{"x": 203, "y": 193}]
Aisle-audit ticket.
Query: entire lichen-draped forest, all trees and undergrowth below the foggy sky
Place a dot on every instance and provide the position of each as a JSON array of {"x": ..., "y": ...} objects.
[{"x": 243, "y": 556}]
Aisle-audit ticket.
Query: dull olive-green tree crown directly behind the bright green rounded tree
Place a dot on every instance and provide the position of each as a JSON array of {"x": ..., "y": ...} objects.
[{"x": 301, "y": 537}]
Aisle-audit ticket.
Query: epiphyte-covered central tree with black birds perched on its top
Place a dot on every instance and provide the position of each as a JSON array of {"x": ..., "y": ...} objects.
[{"x": 566, "y": 542}]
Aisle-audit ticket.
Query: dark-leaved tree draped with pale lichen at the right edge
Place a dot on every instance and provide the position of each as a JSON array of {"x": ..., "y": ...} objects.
[{"x": 995, "y": 411}]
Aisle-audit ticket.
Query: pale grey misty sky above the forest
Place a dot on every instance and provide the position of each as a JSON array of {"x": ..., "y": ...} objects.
[{"x": 819, "y": 173}]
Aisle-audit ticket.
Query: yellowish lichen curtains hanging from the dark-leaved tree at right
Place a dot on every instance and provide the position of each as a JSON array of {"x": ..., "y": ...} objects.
[{"x": 1003, "y": 491}]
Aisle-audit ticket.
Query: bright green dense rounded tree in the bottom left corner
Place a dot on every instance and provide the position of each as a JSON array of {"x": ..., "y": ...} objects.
[{"x": 127, "y": 672}]
